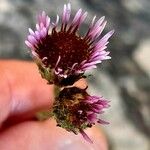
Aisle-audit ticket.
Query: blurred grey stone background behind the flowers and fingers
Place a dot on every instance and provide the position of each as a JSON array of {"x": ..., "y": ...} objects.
[{"x": 125, "y": 80}]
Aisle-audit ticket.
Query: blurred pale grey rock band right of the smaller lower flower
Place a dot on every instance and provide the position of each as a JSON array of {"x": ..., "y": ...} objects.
[{"x": 122, "y": 133}]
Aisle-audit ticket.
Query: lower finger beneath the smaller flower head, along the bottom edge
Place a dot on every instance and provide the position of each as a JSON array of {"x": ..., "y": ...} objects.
[{"x": 45, "y": 135}]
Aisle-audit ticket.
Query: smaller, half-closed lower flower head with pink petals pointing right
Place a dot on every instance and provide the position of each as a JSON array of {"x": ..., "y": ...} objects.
[{"x": 75, "y": 110}]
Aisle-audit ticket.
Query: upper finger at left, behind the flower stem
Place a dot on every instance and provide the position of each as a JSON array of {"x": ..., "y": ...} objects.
[{"x": 22, "y": 90}]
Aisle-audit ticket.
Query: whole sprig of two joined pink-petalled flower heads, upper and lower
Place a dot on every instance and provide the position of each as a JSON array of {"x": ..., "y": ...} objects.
[{"x": 63, "y": 56}]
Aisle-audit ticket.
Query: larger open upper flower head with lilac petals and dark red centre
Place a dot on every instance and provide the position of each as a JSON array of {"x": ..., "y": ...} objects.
[{"x": 62, "y": 52}]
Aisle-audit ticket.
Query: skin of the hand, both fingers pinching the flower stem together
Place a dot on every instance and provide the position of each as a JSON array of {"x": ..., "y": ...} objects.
[{"x": 23, "y": 93}]
